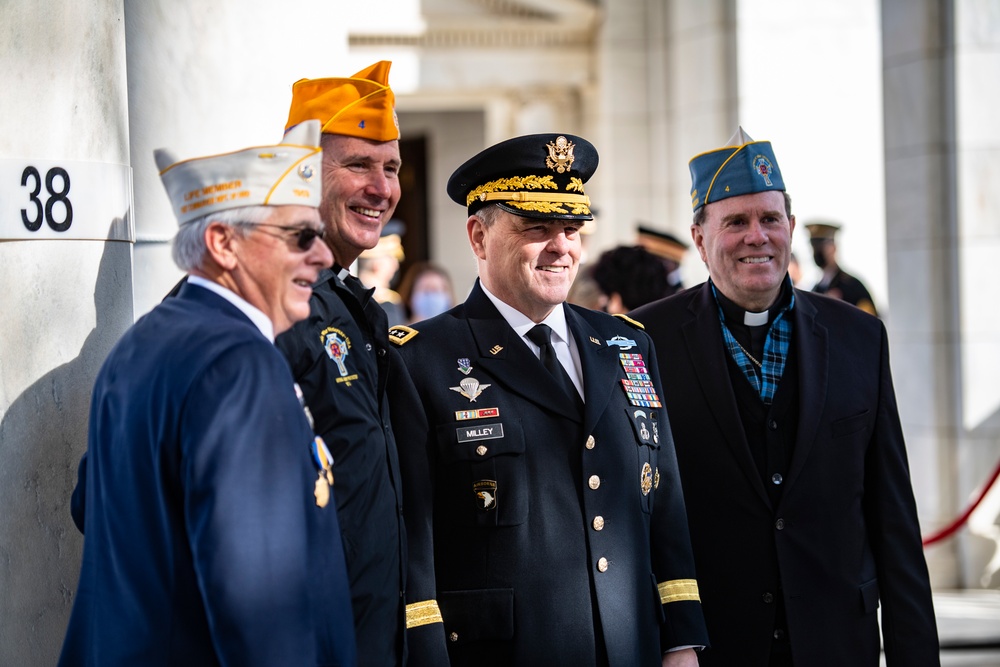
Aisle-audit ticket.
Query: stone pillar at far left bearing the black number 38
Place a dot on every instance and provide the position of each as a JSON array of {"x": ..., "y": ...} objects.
[{"x": 65, "y": 267}]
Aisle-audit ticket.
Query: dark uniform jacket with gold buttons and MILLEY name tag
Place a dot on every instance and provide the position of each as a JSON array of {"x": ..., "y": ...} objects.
[{"x": 513, "y": 515}]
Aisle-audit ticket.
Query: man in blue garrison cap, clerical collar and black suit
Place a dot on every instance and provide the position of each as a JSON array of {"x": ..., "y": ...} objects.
[{"x": 790, "y": 449}]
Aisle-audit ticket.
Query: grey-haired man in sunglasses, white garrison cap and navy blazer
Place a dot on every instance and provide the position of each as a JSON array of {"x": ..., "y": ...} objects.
[{"x": 210, "y": 535}]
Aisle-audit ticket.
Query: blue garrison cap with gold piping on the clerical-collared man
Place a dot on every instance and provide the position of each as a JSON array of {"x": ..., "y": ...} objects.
[{"x": 744, "y": 167}]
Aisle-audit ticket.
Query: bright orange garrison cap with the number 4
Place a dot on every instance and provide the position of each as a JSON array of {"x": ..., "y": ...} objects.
[{"x": 358, "y": 106}]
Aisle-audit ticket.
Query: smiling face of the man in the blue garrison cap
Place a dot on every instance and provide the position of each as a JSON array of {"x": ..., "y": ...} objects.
[{"x": 746, "y": 243}]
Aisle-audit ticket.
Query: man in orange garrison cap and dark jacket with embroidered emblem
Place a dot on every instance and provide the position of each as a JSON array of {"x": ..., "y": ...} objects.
[{"x": 338, "y": 354}]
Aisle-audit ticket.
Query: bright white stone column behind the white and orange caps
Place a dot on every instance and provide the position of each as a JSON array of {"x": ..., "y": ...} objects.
[{"x": 214, "y": 77}]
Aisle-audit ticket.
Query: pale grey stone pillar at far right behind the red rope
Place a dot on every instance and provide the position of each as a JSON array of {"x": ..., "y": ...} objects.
[{"x": 941, "y": 59}]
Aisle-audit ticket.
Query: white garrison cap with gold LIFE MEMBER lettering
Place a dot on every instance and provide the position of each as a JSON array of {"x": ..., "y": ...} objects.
[{"x": 287, "y": 173}]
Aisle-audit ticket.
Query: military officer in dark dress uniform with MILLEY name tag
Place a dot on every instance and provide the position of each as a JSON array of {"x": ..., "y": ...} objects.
[{"x": 545, "y": 517}]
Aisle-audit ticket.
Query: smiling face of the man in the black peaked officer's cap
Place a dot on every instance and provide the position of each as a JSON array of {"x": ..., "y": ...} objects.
[{"x": 527, "y": 263}]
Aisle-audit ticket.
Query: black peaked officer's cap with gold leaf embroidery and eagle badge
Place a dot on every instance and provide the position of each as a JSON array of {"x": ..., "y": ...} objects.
[{"x": 534, "y": 176}]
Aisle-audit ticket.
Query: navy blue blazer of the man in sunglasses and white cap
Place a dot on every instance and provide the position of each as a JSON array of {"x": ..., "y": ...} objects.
[{"x": 203, "y": 542}]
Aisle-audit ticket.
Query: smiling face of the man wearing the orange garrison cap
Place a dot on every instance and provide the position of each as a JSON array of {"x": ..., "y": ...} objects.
[{"x": 360, "y": 192}]
